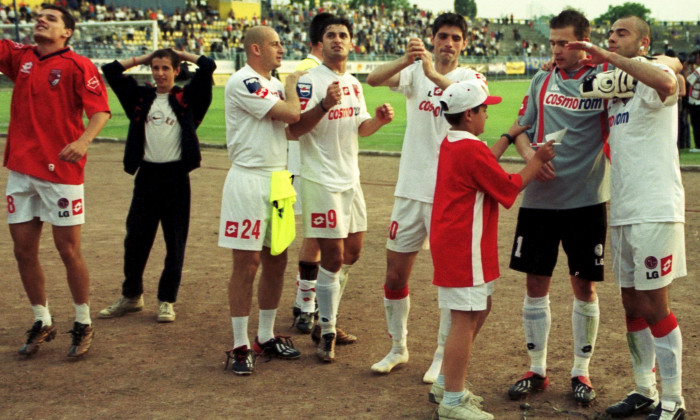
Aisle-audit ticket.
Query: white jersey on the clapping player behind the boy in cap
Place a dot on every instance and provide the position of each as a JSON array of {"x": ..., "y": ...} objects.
[{"x": 425, "y": 129}]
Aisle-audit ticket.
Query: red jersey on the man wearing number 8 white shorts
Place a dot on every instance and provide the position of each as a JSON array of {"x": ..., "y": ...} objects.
[{"x": 48, "y": 101}]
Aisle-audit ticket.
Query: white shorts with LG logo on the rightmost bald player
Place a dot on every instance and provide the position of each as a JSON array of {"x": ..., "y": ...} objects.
[{"x": 648, "y": 256}]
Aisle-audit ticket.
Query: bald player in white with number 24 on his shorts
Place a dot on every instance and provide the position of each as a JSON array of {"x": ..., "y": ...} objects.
[{"x": 258, "y": 107}]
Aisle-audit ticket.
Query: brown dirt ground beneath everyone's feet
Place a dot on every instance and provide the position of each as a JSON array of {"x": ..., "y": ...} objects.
[{"x": 138, "y": 368}]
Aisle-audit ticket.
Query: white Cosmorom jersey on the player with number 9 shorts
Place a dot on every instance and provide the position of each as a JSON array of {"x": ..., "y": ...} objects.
[{"x": 329, "y": 151}]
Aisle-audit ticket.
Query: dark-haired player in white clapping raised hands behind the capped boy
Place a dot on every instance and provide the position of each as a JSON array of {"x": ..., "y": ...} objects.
[{"x": 421, "y": 78}]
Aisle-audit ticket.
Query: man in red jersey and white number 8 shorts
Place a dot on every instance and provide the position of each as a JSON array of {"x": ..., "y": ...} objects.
[{"x": 45, "y": 153}]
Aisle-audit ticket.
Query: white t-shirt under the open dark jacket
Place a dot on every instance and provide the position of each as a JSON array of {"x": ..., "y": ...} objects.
[{"x": 162, "y": 132}]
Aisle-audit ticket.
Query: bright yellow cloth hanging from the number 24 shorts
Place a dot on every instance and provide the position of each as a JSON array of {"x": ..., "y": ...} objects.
[{"x": 282, "y": 224}]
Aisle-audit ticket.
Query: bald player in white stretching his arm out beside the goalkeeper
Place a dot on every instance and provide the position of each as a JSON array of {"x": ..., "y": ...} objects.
[{"x": 646, "y": 218}]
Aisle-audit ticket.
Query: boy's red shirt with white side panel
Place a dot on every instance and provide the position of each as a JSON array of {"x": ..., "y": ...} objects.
[{"x": 464, "y": 223}]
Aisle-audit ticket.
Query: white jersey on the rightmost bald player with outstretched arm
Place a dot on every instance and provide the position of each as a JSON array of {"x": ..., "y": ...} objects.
[{"x": 645, "y": 181}]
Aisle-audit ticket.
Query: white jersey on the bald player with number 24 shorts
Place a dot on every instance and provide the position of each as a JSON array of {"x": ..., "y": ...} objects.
[{"x": 252, "y": 139}]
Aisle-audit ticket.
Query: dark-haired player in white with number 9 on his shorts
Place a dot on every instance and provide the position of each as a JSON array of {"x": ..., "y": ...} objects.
[{"x": 334, "y": 211}]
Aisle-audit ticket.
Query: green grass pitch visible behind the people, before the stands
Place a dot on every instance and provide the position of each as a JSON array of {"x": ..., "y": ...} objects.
[{"x": 388, "y": 138}]
